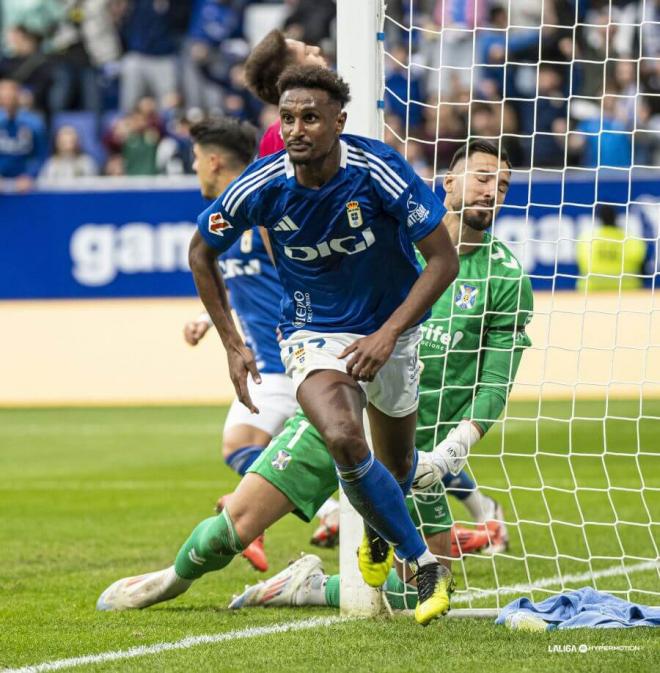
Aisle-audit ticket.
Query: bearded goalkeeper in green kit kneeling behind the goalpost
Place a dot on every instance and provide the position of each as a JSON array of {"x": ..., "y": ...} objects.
[{"x": 471, "y": 349}]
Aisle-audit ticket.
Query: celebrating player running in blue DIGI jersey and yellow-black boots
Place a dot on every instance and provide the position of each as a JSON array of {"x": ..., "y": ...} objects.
[{"x": 342, "y": 213}]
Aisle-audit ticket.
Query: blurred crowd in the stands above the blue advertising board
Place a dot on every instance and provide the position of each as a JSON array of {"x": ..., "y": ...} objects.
[{"x": 111, "y": 87}]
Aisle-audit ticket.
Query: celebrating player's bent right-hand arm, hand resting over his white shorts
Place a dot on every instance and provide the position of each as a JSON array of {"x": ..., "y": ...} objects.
[{"x": 370, "y": 353}]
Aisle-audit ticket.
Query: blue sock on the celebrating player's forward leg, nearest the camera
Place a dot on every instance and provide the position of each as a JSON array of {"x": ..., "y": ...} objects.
[{"x": 377, "y": 496}]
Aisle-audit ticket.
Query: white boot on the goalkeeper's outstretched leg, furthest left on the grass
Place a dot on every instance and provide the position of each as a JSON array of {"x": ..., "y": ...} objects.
[{"x": 141, "y": 591}]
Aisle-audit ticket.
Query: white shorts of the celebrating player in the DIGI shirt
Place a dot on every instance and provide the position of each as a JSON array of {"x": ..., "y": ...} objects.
[{"x": 394, "y": 390}]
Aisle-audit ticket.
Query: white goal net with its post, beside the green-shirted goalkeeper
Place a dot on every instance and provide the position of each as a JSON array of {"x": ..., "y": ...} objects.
[{"x": 570, "y": 91}]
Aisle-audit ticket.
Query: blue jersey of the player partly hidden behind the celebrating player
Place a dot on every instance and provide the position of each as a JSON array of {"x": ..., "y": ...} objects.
[{"x": 255, "y": 294}]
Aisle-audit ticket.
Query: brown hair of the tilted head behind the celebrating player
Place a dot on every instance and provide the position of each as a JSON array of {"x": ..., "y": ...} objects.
[{"x": 265, "y": 64}]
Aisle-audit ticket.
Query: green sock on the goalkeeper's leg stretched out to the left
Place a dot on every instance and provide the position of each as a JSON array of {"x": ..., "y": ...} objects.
[{"x": 211, "y": 546}]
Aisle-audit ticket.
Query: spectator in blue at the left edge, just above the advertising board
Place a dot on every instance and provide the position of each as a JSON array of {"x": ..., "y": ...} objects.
[{"x": 23, "y": 141}]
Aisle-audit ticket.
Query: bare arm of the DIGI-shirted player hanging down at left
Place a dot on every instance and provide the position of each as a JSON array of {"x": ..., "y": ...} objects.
[{"x": 212, "y": 291}]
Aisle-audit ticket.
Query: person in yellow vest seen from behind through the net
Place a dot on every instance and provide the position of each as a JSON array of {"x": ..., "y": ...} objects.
[{"x": 607, "y": 258}]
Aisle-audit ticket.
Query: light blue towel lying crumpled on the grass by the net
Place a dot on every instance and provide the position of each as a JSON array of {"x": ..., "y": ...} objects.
[{"x": 585, "y": 607}]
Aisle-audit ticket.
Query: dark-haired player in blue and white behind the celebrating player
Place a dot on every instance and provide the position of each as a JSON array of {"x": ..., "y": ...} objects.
[{"x": 222, "y": 148}]
